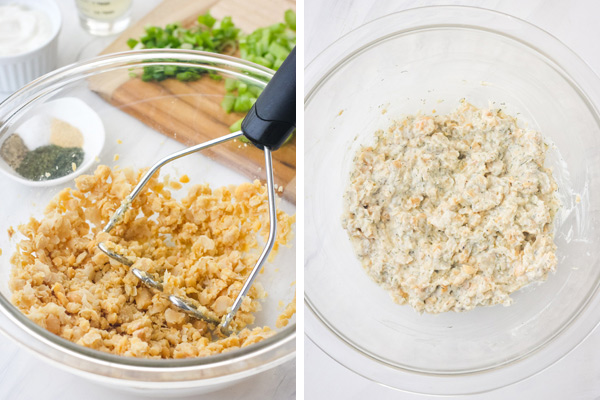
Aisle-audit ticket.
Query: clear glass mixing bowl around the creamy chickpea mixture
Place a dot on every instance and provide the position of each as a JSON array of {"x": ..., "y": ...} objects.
[{"x": 420, "y": 60}]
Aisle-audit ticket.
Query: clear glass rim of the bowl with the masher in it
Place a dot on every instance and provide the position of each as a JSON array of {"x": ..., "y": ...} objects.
[{"x": 262, "y": 355}]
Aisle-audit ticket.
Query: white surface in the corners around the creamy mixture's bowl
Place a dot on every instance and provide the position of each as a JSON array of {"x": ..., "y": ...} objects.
[{"x": 575, "y": 23}]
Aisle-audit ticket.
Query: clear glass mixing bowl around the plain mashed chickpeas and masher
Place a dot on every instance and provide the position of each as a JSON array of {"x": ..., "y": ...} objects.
[{"x": 122, "y": 102}]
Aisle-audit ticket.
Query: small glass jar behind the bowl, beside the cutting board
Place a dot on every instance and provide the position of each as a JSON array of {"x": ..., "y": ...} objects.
[{"x": 104, "y": 17}]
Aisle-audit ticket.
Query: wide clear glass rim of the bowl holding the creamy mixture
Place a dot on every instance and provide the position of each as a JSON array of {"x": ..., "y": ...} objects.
[{"x": 359, "y": 360}]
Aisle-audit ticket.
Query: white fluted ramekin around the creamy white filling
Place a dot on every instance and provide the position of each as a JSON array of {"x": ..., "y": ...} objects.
[{"x": 18, "y": 70}]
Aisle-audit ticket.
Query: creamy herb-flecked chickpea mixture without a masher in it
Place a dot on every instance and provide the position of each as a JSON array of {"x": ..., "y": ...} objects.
[{"x": 451, "y": 212}]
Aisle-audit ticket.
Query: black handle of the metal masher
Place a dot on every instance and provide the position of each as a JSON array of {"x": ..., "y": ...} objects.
[{"x": 272, "y": 118}]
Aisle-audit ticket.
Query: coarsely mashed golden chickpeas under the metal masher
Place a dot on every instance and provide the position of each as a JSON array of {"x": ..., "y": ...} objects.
[{"x": 203, "y": 246}]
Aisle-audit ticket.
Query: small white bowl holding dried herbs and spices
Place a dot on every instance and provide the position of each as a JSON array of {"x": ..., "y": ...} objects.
[{"x": 57, "y": 142}]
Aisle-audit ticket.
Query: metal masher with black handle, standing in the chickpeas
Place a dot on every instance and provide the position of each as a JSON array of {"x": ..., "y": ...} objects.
[{"x": 267, "y": 125}]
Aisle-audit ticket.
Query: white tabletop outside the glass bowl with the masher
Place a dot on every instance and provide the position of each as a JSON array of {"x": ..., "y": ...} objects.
[{"x": 25, "y": 376}]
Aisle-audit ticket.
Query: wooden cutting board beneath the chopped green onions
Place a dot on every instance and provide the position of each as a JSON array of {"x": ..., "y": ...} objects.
[{"x": 190, "y": 112}]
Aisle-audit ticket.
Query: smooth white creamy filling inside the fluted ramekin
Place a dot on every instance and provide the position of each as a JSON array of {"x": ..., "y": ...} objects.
[{"x": 22, "y": 29}]
